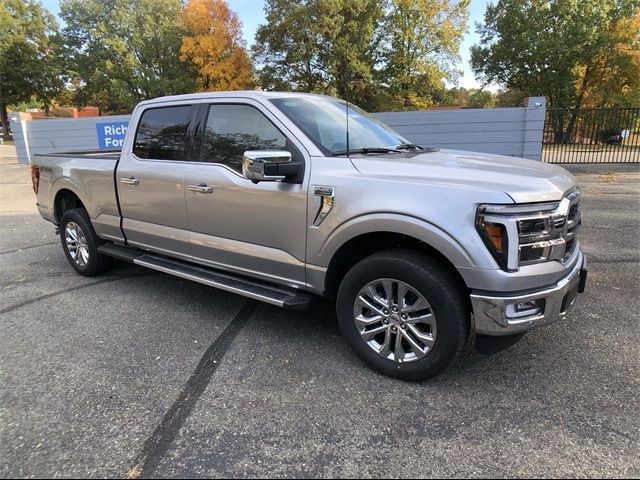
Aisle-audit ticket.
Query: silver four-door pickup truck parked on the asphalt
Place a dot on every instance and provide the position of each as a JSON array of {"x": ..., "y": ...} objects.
[{"x": 282, "y": 197}]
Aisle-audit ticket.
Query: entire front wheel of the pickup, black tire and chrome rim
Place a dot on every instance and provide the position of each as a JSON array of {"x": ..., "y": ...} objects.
[{"x": 404, "y": 313}]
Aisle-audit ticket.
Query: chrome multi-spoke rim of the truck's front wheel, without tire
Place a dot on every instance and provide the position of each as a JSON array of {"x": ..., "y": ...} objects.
[{"x": 395, "y": 320}]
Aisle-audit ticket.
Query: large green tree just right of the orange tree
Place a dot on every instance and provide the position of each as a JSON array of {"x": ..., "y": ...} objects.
[{"x": 323, "y": 46}]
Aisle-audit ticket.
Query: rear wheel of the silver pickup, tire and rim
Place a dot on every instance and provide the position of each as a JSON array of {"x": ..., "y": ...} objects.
[{"x": 80, "y": 243}]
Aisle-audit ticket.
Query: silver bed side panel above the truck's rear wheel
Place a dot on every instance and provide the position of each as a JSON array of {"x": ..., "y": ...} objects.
[{"x": 87, "y": 177}]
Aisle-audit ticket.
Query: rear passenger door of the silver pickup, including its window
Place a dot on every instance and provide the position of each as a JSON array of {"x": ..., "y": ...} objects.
[{"x": 150, "y": 179}]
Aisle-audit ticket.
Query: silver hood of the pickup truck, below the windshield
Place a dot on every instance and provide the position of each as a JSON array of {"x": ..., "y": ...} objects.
[{"x": 523, "y": 180}]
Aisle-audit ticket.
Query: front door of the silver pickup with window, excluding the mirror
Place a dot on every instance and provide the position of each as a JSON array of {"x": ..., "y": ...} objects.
[{"x": 257, "y": 229}]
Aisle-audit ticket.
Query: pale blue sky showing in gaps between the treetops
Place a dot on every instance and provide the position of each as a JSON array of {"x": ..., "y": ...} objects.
[{"x": 251, "y": 13}]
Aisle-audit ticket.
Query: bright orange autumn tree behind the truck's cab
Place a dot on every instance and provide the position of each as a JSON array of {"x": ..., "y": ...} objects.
[{"x": 214, "y": 47}]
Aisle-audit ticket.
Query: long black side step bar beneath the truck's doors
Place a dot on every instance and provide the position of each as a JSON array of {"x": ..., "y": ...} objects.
[{"x": 273, "y": 294}]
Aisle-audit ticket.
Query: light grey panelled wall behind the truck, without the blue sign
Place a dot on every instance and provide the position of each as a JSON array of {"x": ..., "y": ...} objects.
[{"x": 506, "y": 131}]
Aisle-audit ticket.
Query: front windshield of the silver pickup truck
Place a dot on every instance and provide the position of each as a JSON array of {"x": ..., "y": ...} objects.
[{"x": 324, "y": 121}]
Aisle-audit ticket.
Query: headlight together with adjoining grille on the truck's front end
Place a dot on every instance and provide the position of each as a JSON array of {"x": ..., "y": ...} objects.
[{"x": 518, "y": 235}]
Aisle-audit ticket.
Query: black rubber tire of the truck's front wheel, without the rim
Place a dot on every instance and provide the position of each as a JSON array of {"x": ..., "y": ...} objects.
[{"x": 438, "y": 285}]
